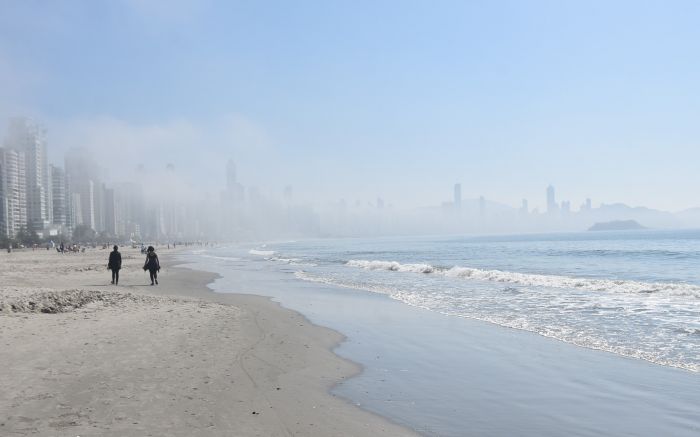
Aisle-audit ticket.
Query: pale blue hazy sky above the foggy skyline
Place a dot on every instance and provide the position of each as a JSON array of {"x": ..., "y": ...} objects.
[{"x": 367, "y": 99}]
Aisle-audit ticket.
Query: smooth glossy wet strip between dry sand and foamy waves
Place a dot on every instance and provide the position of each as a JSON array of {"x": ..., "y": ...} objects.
[{"x": 443, "y": 375}]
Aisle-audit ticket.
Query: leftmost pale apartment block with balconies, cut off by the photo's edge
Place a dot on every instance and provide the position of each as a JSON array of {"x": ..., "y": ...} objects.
[{"x": 13, "y": 192}]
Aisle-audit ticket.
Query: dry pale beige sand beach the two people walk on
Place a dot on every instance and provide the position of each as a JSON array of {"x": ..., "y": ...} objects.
[{"x": 80, "y": 357}]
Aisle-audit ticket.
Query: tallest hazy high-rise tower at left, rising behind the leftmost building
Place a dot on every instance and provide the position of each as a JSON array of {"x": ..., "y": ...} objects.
[{"x": 29, "y": 137}]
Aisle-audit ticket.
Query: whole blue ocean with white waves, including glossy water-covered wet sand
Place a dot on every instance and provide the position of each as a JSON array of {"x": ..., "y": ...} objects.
[{"x": 416, "y": 307}]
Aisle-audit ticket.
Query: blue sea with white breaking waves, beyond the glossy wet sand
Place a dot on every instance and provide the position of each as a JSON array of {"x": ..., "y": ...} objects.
[{"x": 636, "y": 294}]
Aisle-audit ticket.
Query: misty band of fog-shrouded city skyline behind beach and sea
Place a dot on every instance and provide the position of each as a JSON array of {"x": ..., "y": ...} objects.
[{"x": 110, "y": 192}]
